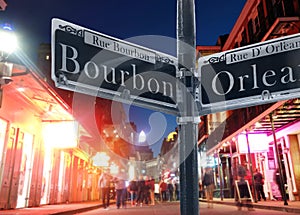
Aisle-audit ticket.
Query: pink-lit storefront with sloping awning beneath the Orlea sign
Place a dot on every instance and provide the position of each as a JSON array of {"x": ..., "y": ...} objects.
[{"x": 255, "y": 145}]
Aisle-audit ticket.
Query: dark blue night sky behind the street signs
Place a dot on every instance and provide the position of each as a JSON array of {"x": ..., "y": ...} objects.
[{"x": 121, "y": 19}]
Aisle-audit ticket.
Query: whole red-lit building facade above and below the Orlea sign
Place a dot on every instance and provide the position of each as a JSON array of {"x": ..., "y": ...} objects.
[{"x": 265, "y": 128}]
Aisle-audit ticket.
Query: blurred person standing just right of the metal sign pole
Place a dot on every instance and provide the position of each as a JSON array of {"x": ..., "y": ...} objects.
[{"x": 208, "y": 182}]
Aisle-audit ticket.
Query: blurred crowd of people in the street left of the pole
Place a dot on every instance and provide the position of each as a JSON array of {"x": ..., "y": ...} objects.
[{"x": 143, "y": 190}]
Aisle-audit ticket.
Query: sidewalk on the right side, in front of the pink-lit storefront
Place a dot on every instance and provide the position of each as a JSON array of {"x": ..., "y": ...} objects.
[{"x": 292, "y": 207}]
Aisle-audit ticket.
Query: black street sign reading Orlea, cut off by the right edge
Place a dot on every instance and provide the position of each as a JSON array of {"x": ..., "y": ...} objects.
[{"x": 252, "y": 75}]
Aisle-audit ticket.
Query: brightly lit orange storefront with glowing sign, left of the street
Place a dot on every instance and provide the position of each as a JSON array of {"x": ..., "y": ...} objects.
[{"x": 42, "y": 160}]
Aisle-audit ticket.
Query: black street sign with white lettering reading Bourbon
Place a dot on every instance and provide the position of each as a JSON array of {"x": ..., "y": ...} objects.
[{"x": 96, "y": 64}]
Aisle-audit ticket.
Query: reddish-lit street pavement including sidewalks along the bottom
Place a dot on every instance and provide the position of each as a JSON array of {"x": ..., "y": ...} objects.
[{"x": 166, "y": 208}]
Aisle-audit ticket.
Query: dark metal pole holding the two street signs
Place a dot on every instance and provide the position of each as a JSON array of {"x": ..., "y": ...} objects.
[{"x": 187, "y": 119}]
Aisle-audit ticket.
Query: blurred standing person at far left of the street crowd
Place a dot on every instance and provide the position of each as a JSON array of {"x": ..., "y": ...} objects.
[{"x": 103, "y": 186}]
